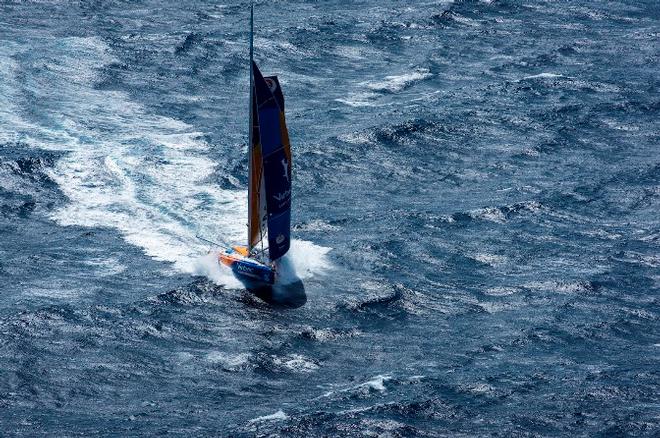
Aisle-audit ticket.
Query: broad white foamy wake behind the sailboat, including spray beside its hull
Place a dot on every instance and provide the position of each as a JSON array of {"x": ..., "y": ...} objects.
[{"x": 145, "y": 175}]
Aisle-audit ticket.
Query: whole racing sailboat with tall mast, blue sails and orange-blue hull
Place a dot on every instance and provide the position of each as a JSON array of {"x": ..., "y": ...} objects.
[{"x": 269, "y": 189}]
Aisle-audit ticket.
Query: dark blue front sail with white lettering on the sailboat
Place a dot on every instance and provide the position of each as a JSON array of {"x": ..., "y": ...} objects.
[{"x": 276, "y": 156}]
